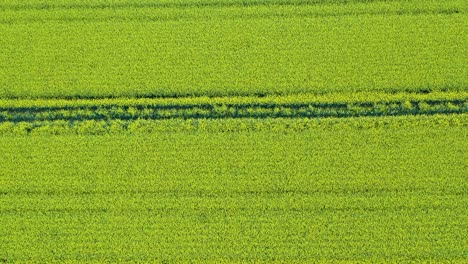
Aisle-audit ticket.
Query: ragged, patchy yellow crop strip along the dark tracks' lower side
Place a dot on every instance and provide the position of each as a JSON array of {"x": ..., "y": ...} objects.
[{"x": 273, "y": 125}]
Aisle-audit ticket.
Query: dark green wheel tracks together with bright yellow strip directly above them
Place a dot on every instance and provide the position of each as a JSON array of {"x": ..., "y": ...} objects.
[{"x": 291, "y": 106}]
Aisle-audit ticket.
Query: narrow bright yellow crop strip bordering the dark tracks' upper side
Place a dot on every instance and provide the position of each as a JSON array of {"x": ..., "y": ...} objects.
[{"x": 261, "y": 98}]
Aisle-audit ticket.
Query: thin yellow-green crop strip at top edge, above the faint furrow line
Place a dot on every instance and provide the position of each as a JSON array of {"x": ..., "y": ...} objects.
[{"x": 165, "y": 12}]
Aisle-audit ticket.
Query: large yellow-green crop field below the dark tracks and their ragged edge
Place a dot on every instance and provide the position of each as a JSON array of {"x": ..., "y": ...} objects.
[{"x": 328, "y": 195}]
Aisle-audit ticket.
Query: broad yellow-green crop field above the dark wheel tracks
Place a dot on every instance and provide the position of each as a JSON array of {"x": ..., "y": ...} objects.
[{"x": 233, "y": 47}]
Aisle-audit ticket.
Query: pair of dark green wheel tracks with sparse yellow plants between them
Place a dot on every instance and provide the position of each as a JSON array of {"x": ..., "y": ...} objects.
[{"x": 232, "y": 110}]
